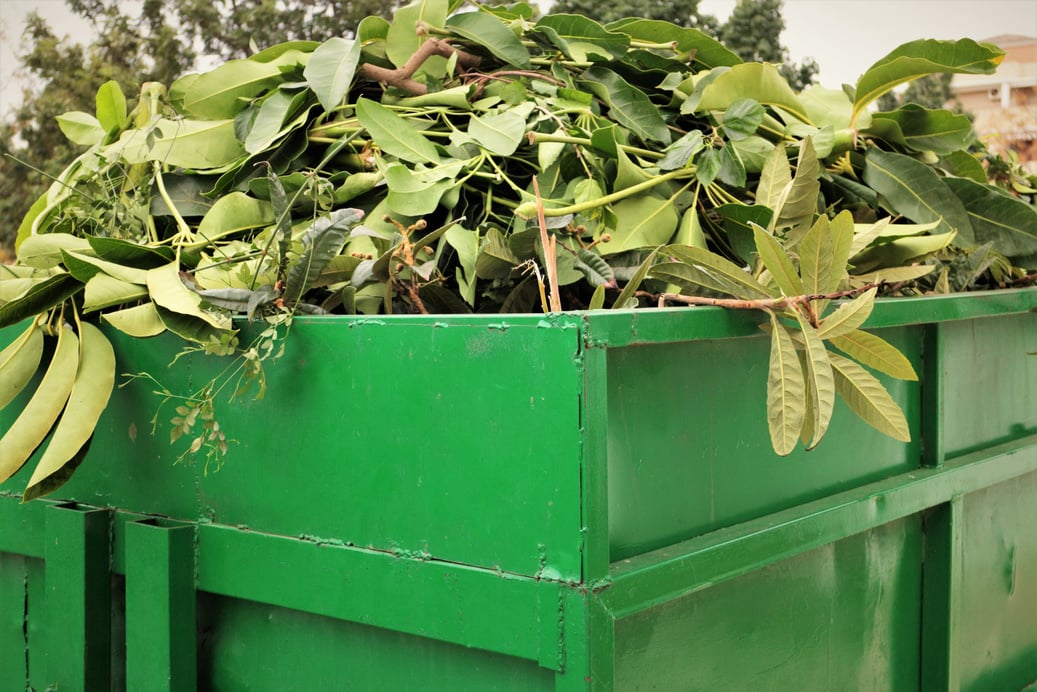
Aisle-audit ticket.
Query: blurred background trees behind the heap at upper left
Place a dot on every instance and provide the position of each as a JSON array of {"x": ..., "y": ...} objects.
[{"x": 162, "y": 43}]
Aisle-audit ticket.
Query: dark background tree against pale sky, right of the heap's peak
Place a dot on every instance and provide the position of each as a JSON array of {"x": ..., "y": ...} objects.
[{"x": 753, "y": 33}]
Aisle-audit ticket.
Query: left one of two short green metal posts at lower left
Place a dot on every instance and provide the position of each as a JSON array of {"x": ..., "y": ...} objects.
[{"x": 78, "y": 593}]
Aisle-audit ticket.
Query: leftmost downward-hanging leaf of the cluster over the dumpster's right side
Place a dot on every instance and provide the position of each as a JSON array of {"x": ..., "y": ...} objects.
[{"x": 787, "y": 391}]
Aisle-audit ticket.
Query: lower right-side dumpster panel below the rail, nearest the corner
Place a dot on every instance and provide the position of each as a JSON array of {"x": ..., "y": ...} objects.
[{"x": 843, "y": 617}]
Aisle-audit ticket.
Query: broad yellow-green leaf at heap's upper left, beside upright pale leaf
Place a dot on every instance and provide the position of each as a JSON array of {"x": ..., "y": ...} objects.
[{"x": 223, "y": 93}]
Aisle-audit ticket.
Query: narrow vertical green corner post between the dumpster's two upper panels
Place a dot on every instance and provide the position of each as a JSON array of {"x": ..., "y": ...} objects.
[{"x": 595, "y": 465}]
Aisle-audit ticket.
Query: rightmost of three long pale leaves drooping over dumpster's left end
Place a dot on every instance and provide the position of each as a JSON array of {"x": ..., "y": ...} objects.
[{"x": 91, "y": 392}]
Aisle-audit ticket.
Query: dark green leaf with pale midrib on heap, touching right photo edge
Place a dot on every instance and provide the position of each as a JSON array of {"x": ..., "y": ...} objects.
[{"x": 1008, "y": 222}]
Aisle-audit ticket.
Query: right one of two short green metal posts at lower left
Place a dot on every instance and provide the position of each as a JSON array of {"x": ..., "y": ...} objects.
[{"x": 161, "y": 626}]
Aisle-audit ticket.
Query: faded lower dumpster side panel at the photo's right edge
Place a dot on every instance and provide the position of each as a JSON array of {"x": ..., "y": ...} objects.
[{"x": 999, "y": 588}]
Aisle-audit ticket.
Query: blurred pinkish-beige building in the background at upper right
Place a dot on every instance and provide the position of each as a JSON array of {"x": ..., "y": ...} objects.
[{"x": 1005, "y": 103}]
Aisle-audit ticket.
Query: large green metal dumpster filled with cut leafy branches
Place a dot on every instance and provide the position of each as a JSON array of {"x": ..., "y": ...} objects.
[{"x": 575, "y": 502}]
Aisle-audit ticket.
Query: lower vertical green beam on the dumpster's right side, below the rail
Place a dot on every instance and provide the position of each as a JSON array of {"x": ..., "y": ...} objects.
[{"x": 942, "y": 597}]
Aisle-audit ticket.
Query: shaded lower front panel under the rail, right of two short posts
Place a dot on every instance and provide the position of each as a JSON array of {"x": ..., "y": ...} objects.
[{"x": 247, "y": 647}]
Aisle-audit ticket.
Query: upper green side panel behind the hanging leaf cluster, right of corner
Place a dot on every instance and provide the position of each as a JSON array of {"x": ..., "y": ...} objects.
[{"x": 690, "y": 453}]
